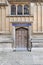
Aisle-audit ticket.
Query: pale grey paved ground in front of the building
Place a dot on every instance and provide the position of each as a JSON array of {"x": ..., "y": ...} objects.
[{"x": 21, "y": 58}]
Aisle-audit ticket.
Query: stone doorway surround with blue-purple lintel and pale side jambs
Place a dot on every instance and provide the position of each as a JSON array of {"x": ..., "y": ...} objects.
[{"x": 30, "y": 33}]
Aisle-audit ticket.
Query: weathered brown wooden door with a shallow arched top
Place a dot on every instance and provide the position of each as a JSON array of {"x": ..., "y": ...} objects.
[{"x": 21, "y": 39}]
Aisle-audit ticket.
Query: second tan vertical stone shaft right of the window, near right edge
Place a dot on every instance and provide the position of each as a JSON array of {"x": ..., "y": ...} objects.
[{"x": 39, "y": 18}]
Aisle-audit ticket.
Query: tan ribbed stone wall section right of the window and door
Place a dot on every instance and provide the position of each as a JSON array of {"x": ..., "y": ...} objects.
[{"x": 37, "y": 12}]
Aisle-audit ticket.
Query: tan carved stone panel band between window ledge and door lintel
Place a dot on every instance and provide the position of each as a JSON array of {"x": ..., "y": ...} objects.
[{"x": 25, "y": 19}]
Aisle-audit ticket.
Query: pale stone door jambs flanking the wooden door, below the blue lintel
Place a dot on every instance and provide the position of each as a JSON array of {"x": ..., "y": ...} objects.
[{"x": 30, "y": 36}]
